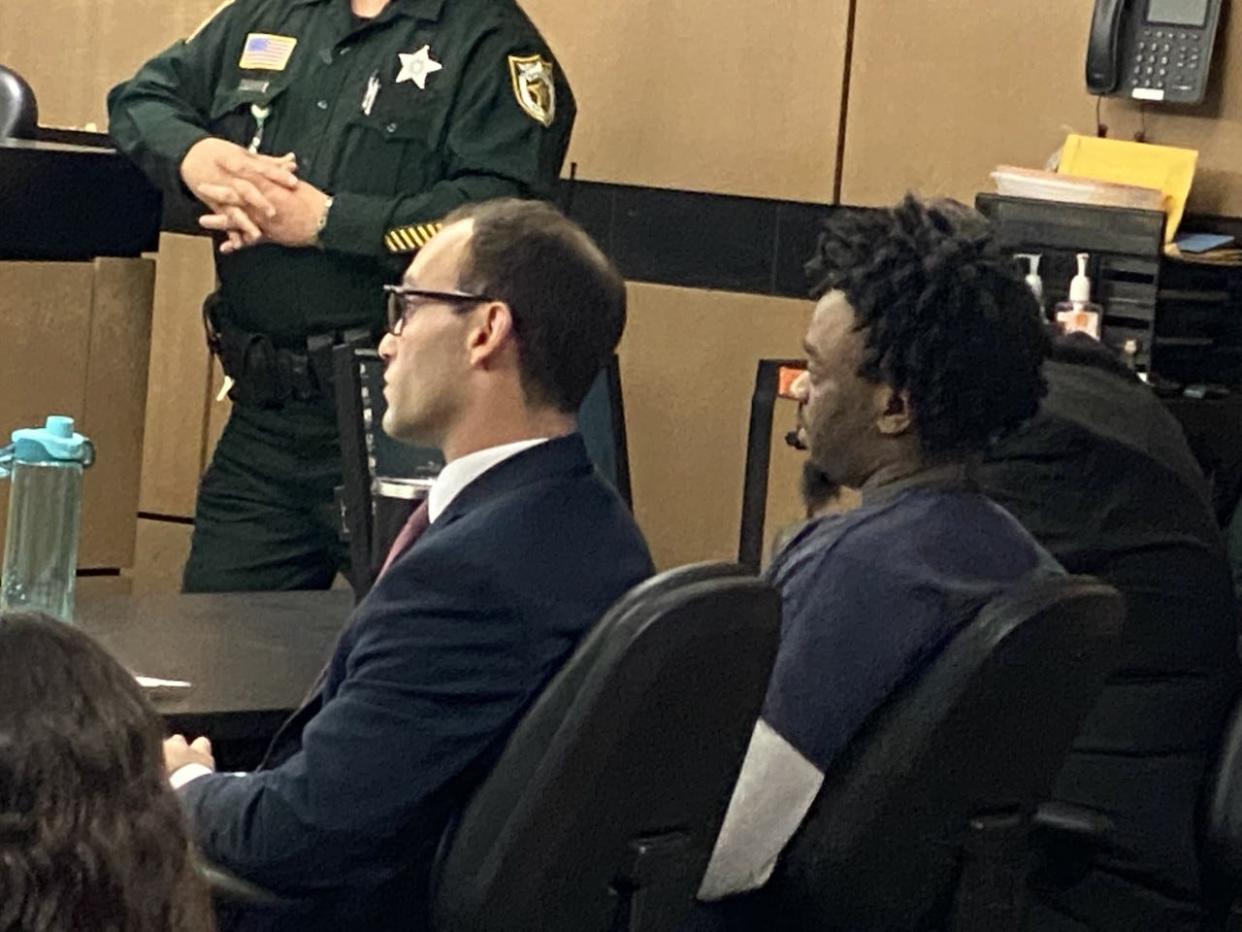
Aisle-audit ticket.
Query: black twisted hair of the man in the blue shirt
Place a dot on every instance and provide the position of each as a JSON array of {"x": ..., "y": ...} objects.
[{"x": 945, "y": 315}]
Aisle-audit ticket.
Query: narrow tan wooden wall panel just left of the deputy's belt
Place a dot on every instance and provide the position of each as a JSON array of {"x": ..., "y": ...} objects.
[{"x": 178, "y": 398}]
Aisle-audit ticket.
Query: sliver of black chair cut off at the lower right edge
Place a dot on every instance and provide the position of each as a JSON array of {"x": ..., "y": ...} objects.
[{"x": 1222, "y": 832}]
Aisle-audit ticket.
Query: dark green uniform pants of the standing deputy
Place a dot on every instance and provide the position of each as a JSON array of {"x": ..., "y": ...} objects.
[{"x": 265, "y": 518}]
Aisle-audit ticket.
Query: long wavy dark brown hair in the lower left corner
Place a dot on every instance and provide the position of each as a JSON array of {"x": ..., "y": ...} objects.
[{"x": 93, "y": 838}]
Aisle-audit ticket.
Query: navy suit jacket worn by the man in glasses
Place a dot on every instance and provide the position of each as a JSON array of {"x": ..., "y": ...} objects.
[{"x": 428, "y": 680}]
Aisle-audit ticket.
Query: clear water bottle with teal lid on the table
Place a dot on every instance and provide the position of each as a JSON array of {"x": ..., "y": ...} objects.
[{"x": 44, "y": 467}]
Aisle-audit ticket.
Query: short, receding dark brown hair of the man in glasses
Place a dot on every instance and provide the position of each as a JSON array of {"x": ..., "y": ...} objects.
[{"x": 568, "y": 301}]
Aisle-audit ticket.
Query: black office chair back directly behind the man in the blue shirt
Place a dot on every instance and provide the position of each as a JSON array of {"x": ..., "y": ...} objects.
[{"x": 957, "y": 761}]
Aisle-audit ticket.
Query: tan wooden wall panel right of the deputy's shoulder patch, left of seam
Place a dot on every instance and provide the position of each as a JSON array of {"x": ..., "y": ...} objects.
[{"x": 732, "y": 98}]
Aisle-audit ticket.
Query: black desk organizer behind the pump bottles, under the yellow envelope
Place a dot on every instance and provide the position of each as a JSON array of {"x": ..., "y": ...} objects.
[{"x": 1126, "y": 248}]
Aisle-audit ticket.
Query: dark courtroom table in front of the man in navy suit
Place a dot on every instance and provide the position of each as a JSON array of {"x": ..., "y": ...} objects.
[{"x": 249, "y": 657}]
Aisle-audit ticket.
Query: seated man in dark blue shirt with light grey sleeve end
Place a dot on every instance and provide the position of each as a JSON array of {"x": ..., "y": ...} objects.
[{"x": 925, "y": 346}]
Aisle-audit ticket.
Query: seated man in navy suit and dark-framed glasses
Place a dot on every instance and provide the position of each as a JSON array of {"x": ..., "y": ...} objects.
[{"x": 496, "y": 335}]
